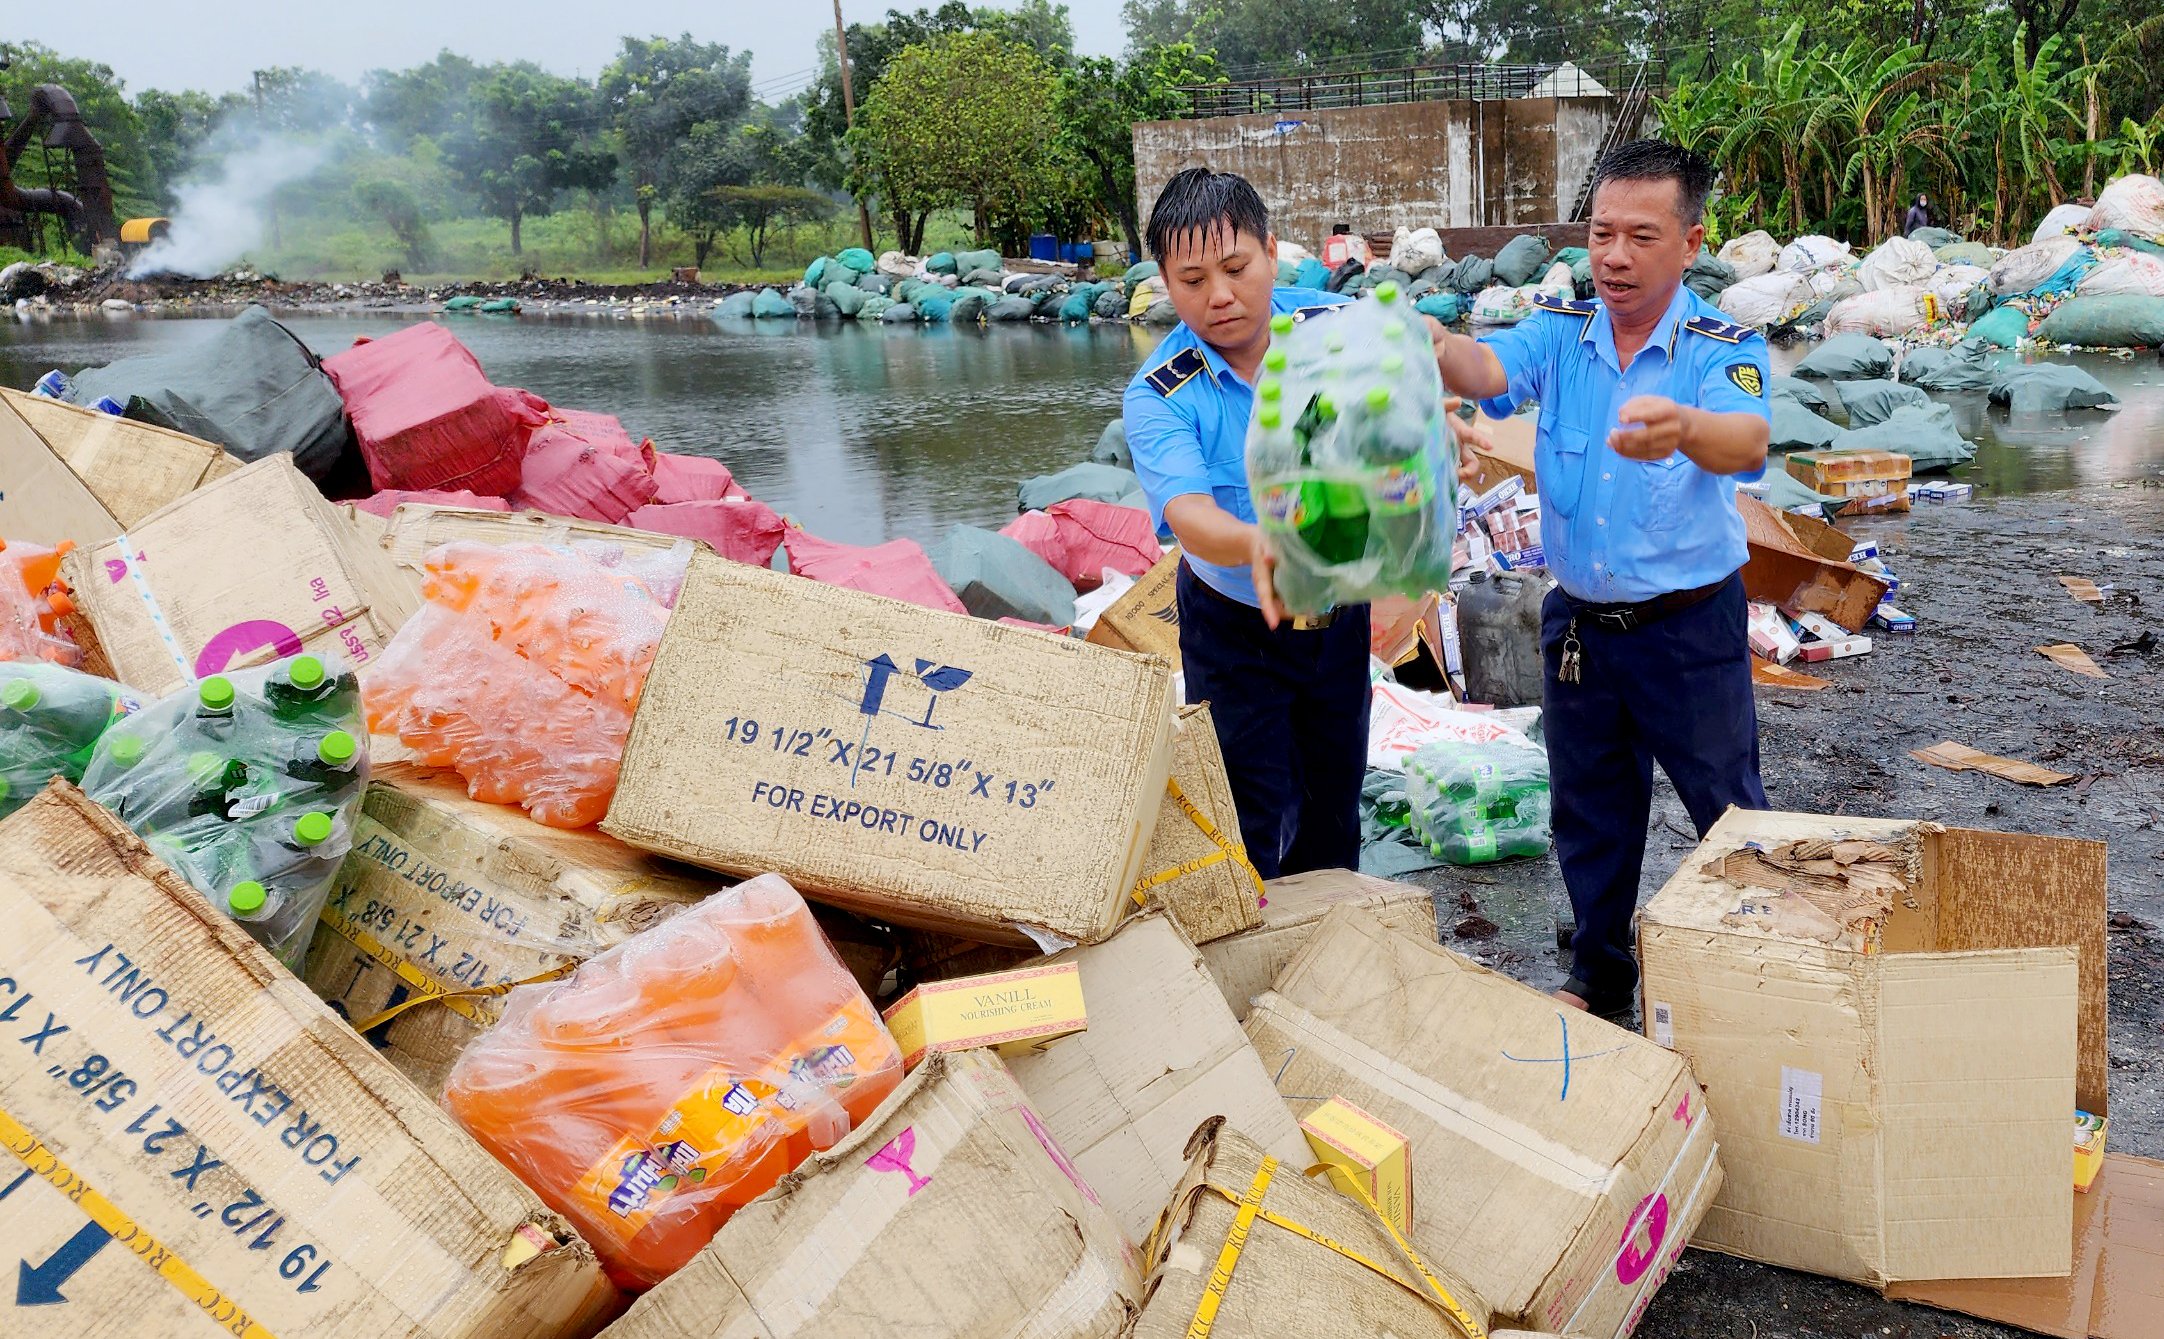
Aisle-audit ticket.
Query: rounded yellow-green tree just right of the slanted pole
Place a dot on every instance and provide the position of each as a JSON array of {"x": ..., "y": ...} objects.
[{"x": 958, "y": 120}]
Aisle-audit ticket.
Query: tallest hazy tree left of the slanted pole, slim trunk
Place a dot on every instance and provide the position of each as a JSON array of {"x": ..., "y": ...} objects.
[{"x": 657, "y": 92}]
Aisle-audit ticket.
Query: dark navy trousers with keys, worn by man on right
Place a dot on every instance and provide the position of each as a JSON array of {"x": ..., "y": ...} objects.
[{"x": 1674, "y": 691}]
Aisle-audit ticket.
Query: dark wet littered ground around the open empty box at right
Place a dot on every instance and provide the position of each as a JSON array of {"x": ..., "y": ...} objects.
[{"x": 1983, "y": 585}]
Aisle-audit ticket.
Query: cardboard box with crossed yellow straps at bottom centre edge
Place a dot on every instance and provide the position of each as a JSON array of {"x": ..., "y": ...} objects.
[{"x": 1345, "y": 1277}]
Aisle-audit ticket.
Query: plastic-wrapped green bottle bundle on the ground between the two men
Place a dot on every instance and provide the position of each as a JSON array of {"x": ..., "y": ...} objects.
[{"x": 1479, "y": 804}]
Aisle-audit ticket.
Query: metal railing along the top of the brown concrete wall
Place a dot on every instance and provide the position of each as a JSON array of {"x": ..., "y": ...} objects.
[{"x": 1419, "y": 83}]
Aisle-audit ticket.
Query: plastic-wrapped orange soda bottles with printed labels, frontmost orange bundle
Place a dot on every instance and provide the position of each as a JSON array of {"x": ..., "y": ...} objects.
[{"x": 678, "y": 1076}]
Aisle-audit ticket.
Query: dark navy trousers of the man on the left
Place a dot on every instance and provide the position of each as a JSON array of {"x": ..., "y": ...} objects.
[{"x": 1291, "y": 711}]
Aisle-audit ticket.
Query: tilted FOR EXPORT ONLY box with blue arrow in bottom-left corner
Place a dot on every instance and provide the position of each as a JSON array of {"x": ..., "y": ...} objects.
[{"x": 207, "y": 1150}]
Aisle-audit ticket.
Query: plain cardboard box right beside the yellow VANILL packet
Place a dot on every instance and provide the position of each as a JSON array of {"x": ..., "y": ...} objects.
[{"x": 1161, "y": 1057}]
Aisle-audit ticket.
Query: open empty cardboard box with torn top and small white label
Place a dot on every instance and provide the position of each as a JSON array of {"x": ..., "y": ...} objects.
[{"x": 1890, "y": 1042}]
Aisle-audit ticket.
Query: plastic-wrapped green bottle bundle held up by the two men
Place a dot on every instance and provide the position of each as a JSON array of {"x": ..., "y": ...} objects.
[{"x": 1349, "y": 458}]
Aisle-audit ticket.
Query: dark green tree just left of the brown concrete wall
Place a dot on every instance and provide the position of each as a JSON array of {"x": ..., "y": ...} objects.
[{"x": 1100, "y": 103}]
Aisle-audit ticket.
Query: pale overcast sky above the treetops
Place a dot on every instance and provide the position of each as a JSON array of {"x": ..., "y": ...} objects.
[{"x": 200, "y": 44}]
